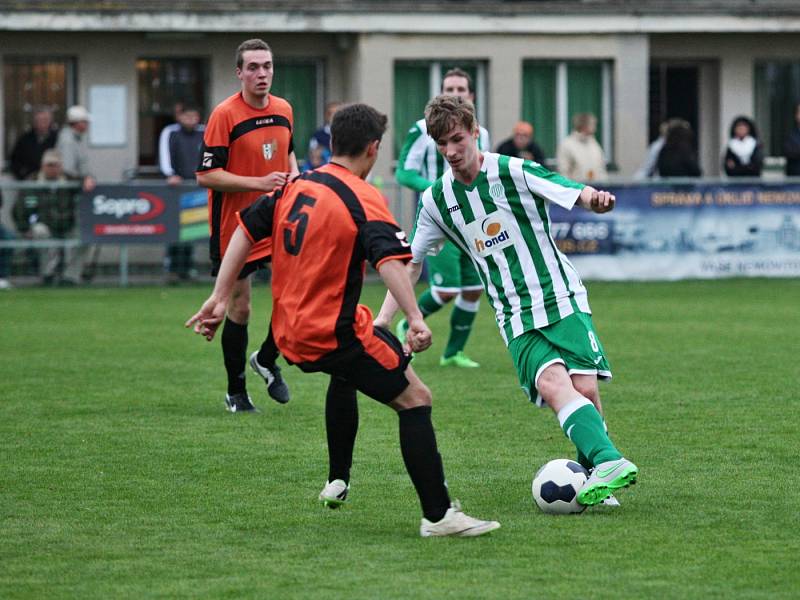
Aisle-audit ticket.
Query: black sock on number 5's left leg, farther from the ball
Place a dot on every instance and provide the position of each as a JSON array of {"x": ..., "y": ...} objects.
[{"x": 341, "y": 425}]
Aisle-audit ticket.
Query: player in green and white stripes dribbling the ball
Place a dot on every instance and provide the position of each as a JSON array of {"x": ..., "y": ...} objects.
[{"x": 496, "y": 208}]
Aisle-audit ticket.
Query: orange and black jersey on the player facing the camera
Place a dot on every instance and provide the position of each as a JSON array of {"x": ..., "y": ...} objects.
[{"x": 244, "y": 141}]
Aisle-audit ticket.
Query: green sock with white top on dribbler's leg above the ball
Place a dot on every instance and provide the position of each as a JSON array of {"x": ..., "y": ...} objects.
[{"x": 584, "y": 426}]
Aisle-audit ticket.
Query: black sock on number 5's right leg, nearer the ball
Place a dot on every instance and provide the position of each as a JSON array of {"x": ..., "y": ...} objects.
[{"x": 423, "y": 462}]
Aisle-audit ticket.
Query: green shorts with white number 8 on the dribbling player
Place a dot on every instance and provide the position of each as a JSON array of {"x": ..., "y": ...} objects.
[{"x": 572, "y": 341}]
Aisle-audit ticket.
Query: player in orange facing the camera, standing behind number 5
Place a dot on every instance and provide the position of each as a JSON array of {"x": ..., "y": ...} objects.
[{"x": 247, "y": 150}]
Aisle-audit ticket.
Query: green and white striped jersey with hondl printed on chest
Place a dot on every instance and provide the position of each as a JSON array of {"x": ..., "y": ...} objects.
[{"x": 502, "y": 221}]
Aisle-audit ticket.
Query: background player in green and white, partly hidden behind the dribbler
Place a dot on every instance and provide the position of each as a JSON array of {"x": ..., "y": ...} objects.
[{"x": 451, "y": 272}]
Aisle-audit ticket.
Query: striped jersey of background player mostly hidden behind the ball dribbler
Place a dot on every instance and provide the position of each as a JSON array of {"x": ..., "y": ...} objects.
[{"x": 420, "y": 163}]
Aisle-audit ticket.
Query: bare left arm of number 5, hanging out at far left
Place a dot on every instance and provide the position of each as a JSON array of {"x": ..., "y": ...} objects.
[{"x": 212, "y": 312}]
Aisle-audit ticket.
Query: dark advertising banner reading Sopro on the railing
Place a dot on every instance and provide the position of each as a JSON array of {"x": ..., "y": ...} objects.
[{"x": 142, "y": 214}]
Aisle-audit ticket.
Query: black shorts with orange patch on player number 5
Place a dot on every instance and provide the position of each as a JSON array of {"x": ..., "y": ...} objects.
[{"x": 376, "y": 369}]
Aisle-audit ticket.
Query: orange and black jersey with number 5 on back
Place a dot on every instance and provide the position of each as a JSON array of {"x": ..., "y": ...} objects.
[{"x": 325, "y": 225}]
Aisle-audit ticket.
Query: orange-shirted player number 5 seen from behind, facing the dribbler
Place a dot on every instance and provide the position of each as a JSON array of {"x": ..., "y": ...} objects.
[{"x": 325, "y": 225}]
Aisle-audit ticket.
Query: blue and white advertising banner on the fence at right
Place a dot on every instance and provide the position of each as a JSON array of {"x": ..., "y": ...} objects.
[{"x": 677, "y": 231}]
